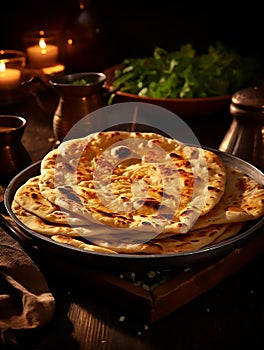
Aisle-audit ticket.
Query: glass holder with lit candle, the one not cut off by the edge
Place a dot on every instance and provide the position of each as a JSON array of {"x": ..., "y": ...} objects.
[{"x": 42, "y": 49}]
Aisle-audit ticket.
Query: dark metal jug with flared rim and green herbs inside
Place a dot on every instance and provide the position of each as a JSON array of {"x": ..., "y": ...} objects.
[{"x": 79, "y": 95}]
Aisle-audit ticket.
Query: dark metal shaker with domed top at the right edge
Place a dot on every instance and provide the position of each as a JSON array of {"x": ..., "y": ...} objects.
[{"x": 245, "y": 137}]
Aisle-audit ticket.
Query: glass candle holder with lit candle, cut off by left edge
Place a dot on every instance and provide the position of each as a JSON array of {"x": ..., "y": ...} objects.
[{"x": 12, "y": 65}]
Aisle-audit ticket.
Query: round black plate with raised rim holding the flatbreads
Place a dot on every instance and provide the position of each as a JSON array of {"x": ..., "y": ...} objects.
[{"x": 135, "y": 262}]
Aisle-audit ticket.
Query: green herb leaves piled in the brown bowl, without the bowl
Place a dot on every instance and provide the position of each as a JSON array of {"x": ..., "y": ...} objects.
[{"x": 185, "y": 74}]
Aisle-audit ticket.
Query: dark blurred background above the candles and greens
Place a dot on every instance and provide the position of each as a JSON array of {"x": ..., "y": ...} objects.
[{"x": 134, "y": 28}]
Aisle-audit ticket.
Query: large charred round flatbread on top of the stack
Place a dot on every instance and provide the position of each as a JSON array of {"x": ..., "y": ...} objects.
[{"x": 134, "y": 181}]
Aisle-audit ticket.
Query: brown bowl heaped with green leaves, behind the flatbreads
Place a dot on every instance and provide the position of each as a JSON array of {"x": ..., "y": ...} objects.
[{"x": 183, "y": 81}]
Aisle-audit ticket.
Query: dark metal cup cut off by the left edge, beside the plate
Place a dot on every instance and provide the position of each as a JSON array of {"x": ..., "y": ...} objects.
[{"x": 13, "y": 155}]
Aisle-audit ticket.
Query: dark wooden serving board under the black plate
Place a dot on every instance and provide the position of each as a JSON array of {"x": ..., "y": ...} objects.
[{"x": 170, "y": 295}]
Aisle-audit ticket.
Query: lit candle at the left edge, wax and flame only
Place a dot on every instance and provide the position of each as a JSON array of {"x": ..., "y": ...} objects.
[{"x": 9, "y": 78}]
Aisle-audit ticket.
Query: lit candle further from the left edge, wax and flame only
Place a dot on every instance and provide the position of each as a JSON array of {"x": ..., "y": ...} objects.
[{"x": 42, "y": 55}]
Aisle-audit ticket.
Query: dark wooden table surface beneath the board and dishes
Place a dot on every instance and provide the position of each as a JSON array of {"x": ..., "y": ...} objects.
[{"x": 229, "y": 315}]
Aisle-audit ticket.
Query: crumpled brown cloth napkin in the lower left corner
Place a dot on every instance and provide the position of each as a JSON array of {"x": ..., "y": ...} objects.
[{"x": 25, "y": 299}]
